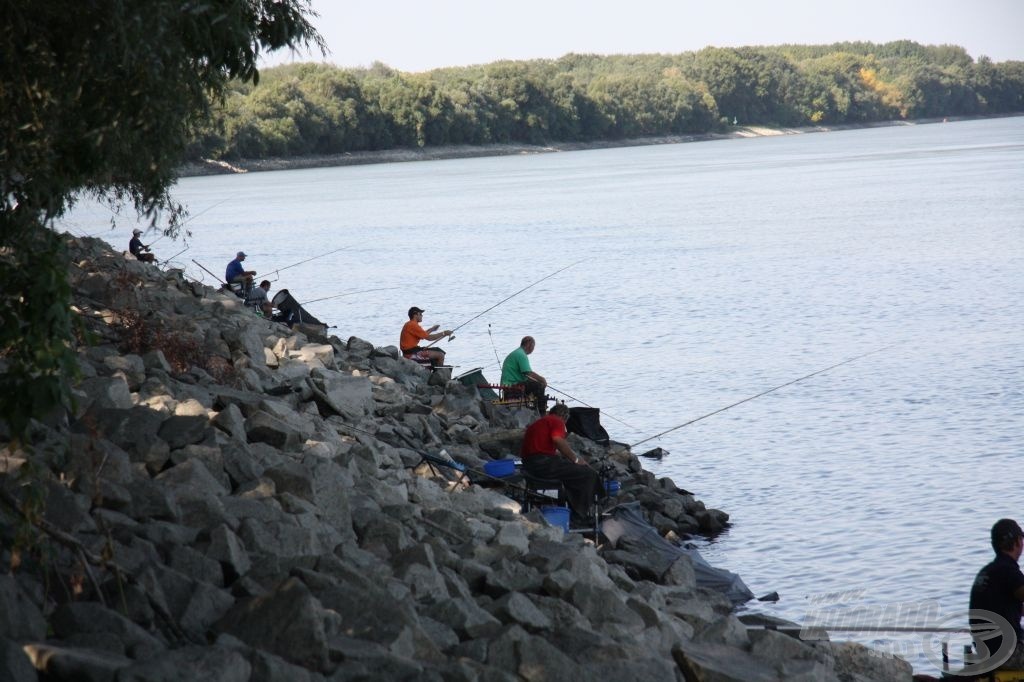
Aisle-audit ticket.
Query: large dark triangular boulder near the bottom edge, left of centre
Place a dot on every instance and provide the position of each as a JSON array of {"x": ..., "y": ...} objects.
[{"x": 288, "y": 623}]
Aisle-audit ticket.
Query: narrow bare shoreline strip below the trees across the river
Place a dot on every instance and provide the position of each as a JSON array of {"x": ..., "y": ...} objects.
[{"x": 211, "y": 167}]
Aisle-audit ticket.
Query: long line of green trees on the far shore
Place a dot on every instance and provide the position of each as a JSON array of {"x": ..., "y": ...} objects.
[{"x": 320, "y": 109}]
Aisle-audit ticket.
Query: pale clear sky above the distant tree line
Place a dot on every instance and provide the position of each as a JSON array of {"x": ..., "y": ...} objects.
[{"x": 430, "y": 34}]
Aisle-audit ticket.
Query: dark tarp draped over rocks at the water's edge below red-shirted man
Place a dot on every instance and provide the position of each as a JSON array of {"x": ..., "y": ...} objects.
[{"x": 626, "y": 529}]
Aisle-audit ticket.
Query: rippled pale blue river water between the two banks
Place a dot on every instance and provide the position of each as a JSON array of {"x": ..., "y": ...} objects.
[{"x": 706, "y": 274}]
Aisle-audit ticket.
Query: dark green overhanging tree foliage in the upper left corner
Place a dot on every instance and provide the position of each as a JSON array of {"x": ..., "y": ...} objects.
[{"x": 106, "y": 98}]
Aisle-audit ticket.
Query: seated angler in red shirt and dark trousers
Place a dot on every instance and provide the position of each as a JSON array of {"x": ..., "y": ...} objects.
[{"x": 546, "y": 454}]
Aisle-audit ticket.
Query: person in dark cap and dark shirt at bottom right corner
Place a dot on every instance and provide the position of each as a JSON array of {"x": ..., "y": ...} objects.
[{"x": 999, "y": 590}]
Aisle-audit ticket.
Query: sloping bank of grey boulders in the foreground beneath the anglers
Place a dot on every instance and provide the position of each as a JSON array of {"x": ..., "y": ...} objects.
[{"x": 234, "y": 500}]
